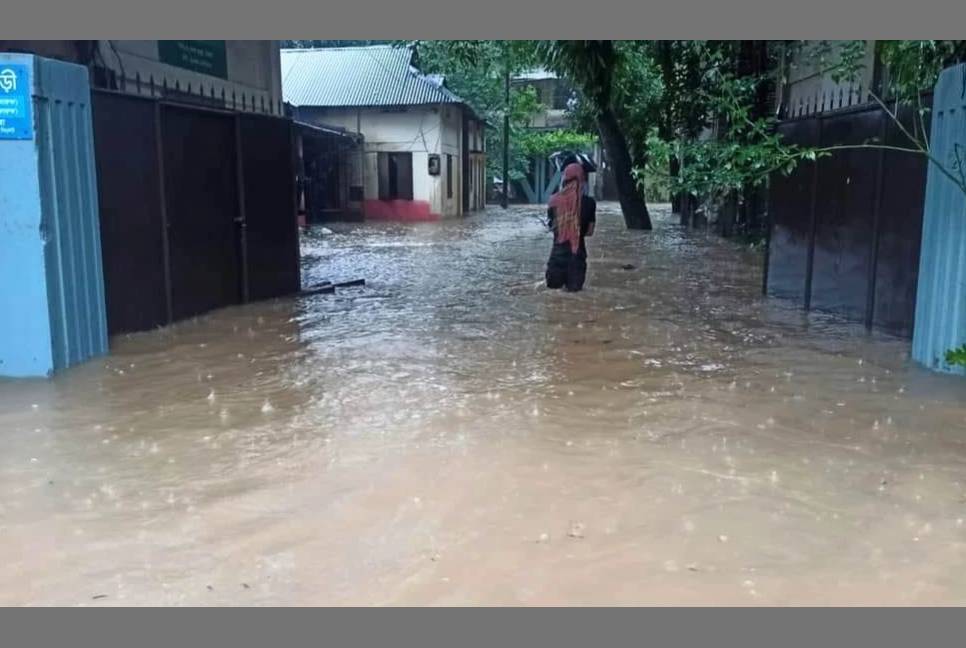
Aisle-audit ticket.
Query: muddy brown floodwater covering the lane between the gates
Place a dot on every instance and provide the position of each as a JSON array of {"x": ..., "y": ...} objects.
[{"x": 453, "y": 434}]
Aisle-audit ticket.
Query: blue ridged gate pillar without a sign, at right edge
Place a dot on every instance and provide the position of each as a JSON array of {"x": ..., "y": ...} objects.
[{"x": 941, "y": 295}]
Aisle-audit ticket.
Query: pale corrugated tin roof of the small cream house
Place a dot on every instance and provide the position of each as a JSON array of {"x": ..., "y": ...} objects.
[{"x": 380, "y": 75}]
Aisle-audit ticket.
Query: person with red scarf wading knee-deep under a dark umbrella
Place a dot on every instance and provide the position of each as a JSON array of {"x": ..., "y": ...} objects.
[{"x": 571, "y": 216}]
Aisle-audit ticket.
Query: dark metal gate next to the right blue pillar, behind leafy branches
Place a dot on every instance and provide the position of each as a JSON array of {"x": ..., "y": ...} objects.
[{"x": 845, "y": 230}]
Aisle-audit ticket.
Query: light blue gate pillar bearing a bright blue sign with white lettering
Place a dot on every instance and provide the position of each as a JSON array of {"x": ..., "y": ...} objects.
[{"x": 52, "y": 312}]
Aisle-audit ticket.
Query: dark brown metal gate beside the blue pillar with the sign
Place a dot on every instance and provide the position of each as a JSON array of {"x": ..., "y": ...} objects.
[{"x": 197, "y": 208}]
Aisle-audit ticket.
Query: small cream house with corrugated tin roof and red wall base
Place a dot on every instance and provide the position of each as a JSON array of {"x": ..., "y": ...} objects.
[{"x": 422, "y": 154}]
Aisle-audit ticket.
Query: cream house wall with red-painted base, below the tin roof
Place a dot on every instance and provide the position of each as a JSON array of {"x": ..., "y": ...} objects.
[{"x": 420, "y": 130}]
